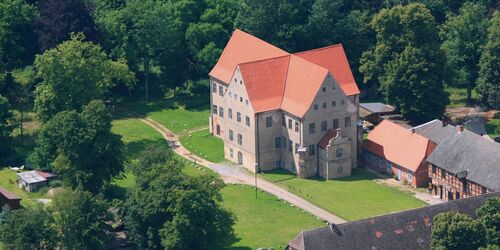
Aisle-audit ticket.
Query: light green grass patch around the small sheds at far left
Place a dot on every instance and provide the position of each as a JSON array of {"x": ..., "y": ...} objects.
[{"x": 8, "y": 181}]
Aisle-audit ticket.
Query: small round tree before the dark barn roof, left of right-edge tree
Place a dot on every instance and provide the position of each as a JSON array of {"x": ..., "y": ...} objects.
[{"x": 456, "y": 231}]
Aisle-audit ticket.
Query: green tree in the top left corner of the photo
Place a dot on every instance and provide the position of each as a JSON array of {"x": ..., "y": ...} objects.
[{"x": 16, "y": 29}]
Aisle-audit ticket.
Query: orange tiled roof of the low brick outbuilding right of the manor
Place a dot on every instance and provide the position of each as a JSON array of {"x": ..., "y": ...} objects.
[{"x": 398, "y": 145}]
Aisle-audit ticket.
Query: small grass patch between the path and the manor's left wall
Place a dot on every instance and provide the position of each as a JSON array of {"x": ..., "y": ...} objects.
[{"x": 203, "y": 144}]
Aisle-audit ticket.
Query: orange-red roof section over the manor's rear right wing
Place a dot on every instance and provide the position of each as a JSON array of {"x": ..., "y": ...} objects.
[{"x": 334, "y": 59}]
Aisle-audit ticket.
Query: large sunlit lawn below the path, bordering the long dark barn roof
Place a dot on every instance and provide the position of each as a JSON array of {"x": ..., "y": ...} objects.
[{"x": 266, "y": 221}]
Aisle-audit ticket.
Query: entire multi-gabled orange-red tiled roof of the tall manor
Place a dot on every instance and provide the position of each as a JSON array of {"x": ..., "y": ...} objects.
[{"x": 275, "y": 79}]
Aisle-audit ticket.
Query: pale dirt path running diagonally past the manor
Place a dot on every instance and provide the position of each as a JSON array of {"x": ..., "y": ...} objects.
[{"x": 237, "y": 174}]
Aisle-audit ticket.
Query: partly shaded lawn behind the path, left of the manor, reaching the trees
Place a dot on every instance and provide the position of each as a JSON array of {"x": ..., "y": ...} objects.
[{"x": 179, "y": 113}]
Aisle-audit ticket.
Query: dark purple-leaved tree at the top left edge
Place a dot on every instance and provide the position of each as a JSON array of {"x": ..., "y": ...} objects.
[{"x": 58, "y": 19}]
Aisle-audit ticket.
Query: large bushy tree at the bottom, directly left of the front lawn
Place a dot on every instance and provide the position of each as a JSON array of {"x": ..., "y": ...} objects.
[{"x": 168, "y": 209}]
